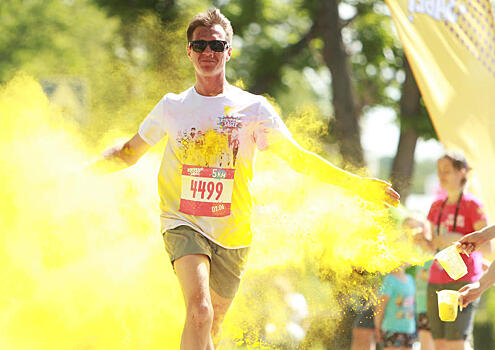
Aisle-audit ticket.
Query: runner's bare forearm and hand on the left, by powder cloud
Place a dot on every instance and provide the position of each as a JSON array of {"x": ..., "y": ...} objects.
[{"x": 121, "y": 156}]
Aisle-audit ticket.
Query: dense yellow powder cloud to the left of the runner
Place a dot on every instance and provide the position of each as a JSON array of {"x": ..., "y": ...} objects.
[{"x": 80, "y": 254}]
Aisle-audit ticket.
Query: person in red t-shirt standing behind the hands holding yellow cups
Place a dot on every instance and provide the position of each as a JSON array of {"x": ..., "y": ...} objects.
[{"x": 452, "y": 216}]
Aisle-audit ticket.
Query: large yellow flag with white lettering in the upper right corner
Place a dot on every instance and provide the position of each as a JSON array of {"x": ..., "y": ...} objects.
[{"x": 451, "y": 48}]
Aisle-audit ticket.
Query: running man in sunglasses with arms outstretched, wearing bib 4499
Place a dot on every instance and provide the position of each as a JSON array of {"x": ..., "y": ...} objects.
[{"x": 204, "y": 183}]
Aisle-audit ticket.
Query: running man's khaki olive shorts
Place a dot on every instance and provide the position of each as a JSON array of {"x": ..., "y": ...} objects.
[{"x": 226, "y": 265}]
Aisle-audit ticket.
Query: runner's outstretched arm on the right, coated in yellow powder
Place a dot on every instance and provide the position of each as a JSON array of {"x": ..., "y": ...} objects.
[{"x": 307, "y": 162}]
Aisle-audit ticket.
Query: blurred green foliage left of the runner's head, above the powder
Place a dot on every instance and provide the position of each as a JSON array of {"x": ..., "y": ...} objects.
[{"x": 124, "y": 66}]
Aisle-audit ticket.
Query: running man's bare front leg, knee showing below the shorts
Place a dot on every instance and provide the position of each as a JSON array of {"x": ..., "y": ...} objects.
[{"x": 193, "y": 272}]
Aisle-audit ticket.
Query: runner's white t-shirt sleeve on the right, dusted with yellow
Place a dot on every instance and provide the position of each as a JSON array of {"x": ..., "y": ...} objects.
[{"x": 270, "y": 128}]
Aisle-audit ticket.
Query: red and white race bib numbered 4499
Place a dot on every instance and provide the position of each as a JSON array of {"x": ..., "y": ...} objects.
[{"x": 206, "y": 191}]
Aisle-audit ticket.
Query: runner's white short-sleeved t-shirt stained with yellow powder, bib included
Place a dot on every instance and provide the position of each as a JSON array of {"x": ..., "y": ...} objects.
[{"x": 204, "y": 179}]
